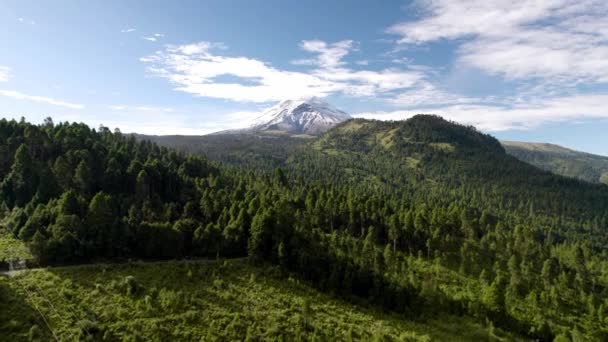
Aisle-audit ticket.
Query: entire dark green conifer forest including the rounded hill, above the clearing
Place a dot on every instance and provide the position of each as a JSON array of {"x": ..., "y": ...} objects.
[{"x": 417, "y": 217}]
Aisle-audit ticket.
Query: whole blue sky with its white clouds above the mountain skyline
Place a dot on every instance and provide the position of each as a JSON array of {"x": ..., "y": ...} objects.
[{"x": 520, "y": 70}]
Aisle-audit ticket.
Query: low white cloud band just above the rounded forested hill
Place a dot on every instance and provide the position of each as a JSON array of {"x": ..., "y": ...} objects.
[{"x": 496, "y": 117}]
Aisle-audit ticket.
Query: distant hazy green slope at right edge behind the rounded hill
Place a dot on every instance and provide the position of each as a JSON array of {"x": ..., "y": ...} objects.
[{"x": 561, "y": 160}]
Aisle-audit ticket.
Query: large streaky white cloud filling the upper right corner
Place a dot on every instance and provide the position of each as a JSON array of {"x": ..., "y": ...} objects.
[{"x": 562, "y": 40}]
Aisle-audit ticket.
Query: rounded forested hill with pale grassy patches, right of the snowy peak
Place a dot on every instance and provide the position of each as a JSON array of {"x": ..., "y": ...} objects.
[{"x": 432, "y": 161}]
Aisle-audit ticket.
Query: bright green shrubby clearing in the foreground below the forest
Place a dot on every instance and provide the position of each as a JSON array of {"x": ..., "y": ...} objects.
[{"x": 201, "y": 301}]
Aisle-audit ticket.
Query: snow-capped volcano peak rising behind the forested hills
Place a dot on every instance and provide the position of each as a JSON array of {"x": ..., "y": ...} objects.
[{"x": 310, "y": 115}]
